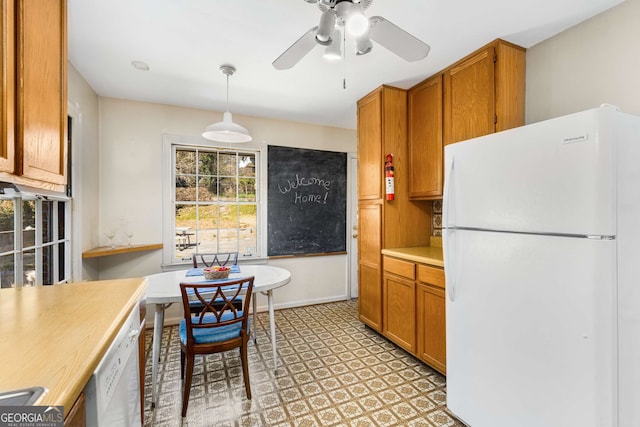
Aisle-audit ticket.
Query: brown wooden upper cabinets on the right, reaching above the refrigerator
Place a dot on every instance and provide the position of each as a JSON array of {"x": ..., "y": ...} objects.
[{"x": 480, "y": 94}]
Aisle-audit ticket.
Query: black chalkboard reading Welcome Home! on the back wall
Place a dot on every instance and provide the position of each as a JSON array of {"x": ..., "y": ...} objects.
[{"x": 307, "y": 201}]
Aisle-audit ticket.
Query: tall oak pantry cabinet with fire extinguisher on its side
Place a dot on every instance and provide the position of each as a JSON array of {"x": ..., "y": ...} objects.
[{"x": 382, "y": 130}]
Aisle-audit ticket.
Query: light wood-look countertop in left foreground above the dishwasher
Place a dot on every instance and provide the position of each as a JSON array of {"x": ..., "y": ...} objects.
[{"x": 55, "y": 336}]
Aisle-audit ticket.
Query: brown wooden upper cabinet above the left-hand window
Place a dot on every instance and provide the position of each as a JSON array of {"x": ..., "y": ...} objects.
[{"x": 34, "y": 99}]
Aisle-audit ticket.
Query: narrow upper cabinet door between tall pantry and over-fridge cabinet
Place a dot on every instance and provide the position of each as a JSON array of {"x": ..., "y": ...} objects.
[{"x": 425, "y": 139}]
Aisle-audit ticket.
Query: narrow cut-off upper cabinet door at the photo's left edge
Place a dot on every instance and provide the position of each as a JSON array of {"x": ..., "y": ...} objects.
[{"x": 7, "y": 85}]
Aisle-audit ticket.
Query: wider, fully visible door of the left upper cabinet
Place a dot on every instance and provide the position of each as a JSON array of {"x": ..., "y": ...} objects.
[{"x": 42, "y": 93}]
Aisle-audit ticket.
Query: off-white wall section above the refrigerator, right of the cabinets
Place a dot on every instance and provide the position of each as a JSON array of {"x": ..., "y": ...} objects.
[{"x": 595, "y": 62}]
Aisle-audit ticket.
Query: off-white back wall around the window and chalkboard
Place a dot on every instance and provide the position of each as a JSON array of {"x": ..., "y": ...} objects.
[{"x": 130, "y": 189}]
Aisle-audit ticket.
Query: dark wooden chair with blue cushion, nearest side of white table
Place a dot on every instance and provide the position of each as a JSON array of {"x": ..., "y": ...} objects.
[{"x": 217, "y": 328}]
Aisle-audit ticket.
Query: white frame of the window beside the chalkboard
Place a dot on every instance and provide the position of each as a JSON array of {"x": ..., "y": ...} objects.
[{"x": 168, "y": 193}]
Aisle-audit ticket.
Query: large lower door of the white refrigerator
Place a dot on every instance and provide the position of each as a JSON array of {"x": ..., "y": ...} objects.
[{"x": 530, "y": 329}]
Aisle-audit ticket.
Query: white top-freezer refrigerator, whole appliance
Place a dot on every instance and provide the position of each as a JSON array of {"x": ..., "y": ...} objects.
[{"x": 541, "y": 240}]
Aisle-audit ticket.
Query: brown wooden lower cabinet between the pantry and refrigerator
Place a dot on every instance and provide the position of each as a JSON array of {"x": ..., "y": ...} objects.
[{"x": 413, "y": 309}]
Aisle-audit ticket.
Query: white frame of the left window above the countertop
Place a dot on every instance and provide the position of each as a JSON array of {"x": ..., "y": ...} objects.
[{"x": 18, "y": 198}]
